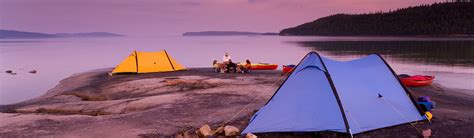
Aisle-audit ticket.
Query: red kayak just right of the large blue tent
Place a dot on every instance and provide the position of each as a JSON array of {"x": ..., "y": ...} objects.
[{"x": 416, "y": 80}]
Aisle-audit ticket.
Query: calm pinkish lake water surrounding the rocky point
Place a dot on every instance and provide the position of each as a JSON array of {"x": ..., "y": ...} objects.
[{"x": 451, "y": 60}]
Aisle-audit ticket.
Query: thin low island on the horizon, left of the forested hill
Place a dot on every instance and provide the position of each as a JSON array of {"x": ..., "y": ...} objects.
[{"x": 224, "y": 33}]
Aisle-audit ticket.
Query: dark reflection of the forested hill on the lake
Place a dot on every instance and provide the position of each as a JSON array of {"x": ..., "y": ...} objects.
[{"x": 457, "y": 53}]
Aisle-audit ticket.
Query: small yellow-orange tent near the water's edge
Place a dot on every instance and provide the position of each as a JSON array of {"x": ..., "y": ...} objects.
[{"x": 147, "y": 62}]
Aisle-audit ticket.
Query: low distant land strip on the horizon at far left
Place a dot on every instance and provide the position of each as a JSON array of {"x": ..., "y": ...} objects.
[{"x": 13, "y": 34}]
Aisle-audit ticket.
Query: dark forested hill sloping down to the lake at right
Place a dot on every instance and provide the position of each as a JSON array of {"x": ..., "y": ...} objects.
[{"x": 454, "y": 18}]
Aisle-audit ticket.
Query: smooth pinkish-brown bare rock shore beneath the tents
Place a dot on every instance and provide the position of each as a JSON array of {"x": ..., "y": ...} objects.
[{"x": 167, "y": 104}]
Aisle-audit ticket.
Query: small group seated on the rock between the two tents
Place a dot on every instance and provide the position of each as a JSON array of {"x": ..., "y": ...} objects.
[{"x": 228, "y": 66}]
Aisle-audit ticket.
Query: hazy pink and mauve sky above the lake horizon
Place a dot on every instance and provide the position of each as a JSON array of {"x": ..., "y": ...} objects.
[{"x": 173, "y": 17}]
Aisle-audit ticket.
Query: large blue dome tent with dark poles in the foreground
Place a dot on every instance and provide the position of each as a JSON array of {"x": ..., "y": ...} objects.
[{"x": 347, "y": 97}]
